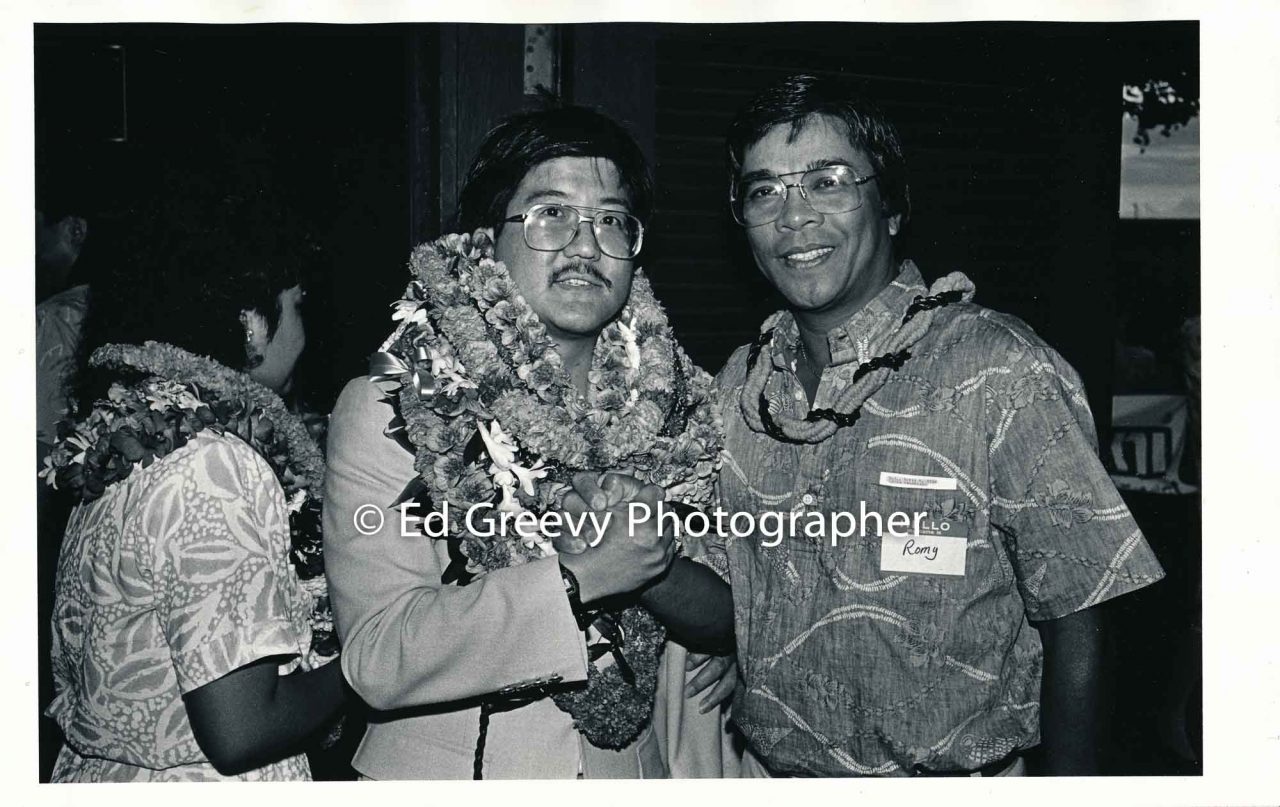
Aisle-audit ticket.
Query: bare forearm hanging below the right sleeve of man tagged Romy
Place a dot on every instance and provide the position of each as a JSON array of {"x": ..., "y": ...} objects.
[{"x": 1069, "y": 694}]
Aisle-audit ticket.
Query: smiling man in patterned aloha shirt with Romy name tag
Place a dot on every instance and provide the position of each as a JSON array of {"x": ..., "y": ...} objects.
[{"x": 950, "y": 644}]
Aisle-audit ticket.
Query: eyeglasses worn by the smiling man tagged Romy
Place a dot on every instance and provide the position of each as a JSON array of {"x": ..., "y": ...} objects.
[{"x": 831, "y": 189}]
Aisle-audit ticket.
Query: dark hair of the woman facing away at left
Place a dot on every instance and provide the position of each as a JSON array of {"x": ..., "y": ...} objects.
[{"x": 208, "y": 243}]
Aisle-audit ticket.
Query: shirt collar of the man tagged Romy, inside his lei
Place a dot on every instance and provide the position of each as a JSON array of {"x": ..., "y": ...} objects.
[{"x": 857, "y": 340}]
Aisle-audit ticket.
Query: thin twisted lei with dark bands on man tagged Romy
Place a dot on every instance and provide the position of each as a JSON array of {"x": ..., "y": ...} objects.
[{"x": 871, "y": 376}]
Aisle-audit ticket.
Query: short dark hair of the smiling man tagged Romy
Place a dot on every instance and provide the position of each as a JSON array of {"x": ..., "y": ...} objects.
[{"x": 796, "y": 99}]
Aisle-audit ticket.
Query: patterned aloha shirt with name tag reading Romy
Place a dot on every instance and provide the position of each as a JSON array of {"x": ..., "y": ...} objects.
[{"x": 852, "y": 671}]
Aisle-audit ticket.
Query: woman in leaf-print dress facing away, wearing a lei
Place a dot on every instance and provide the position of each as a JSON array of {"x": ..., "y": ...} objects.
[{"x": 191, "y": 619}]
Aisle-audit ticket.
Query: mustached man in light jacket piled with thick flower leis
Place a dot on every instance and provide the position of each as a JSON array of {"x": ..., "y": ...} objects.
[{"x": 492, "y": 640}]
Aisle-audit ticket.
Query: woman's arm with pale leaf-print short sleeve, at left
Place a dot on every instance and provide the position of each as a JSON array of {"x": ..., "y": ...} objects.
[{"x": 227, "y": 601}]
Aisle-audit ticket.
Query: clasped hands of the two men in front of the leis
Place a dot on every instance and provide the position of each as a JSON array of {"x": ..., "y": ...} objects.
[{"x": 628, "y": 555}]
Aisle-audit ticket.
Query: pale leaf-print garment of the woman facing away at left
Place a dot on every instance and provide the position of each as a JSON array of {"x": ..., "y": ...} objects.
[{"x": 176, "y": 577}]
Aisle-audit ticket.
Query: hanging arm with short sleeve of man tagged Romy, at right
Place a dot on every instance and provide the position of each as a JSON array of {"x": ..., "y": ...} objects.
[{"x": 1069, "y": 537}]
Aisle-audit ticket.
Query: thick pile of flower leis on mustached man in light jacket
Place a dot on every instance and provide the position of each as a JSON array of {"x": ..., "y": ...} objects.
[{"x": 483, "y": 403}]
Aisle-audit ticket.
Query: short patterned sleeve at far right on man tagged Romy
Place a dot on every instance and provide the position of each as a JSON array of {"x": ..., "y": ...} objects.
[{"x": 1072, "y": 540}]
